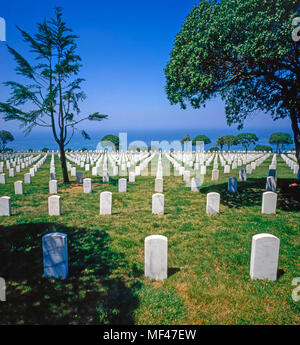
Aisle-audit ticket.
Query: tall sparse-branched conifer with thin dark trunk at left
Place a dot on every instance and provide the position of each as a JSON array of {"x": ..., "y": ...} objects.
[{"x": 53, "y": 91}]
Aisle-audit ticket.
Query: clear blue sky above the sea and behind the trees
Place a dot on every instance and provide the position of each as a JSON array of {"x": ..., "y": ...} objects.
[{"x": 124, "y": 46}]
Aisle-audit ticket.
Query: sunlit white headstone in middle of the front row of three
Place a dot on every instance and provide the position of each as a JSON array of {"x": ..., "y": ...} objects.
[{"x": 156, "y": 257}]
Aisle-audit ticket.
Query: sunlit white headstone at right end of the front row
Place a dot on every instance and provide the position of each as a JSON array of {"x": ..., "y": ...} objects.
[{"x": 264, "y": 257}]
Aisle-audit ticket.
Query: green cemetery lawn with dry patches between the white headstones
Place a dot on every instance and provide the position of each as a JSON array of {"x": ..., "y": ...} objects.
[{"x": 208, "y": 256}]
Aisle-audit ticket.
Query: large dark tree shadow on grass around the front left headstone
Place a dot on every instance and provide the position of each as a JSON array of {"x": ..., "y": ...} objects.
[{"x": 91, "y": 294}]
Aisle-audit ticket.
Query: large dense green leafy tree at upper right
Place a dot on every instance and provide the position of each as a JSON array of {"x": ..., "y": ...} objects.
[{"x": 243, "y": 51}]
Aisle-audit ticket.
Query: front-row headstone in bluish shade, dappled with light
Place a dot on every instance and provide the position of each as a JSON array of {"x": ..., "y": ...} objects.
[{"x": 55, "y": 255}]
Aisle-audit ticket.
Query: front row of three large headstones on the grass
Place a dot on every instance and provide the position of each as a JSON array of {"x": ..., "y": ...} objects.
[{"x": 263, "y": 261}]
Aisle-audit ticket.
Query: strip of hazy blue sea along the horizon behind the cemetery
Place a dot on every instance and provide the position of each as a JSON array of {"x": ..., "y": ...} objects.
[{"x": 38, "y": 140}]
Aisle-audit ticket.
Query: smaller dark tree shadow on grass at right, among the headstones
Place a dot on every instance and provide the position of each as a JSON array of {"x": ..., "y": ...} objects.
[{"x": 250, "y": 194}]
